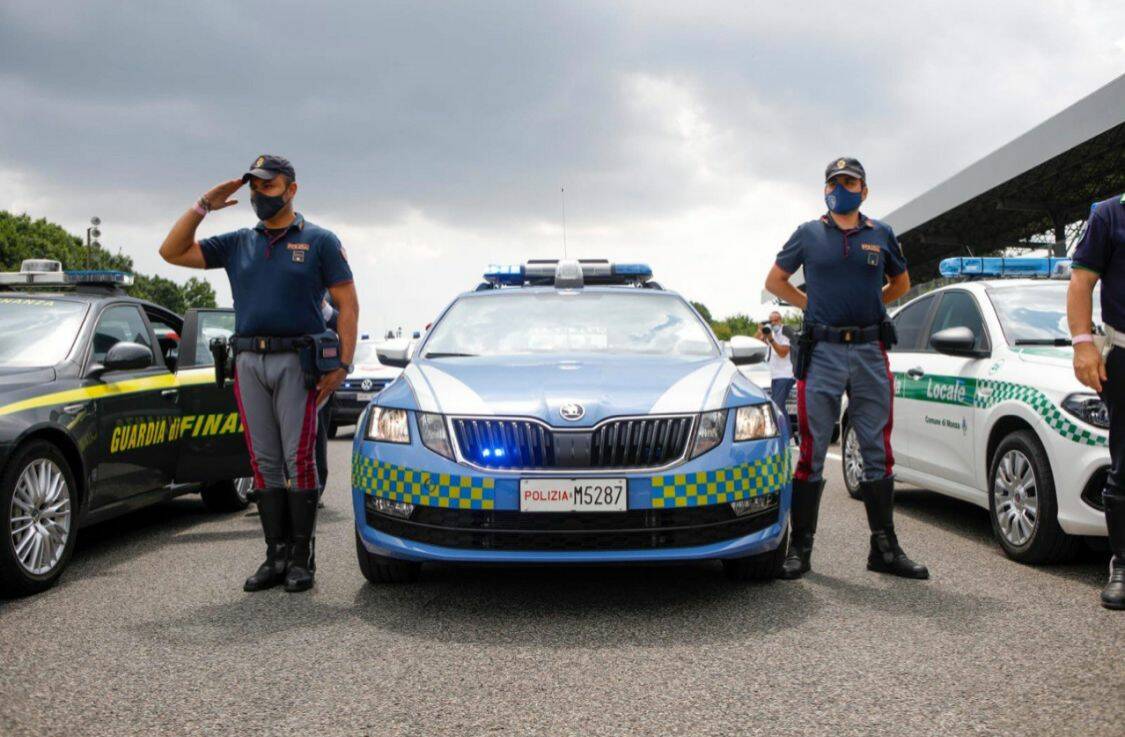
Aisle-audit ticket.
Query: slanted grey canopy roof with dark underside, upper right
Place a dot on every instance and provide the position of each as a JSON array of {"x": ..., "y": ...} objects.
[{"x": 1041, "y": 182}]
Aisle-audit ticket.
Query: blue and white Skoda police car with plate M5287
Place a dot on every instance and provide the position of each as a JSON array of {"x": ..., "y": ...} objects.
[{"x": 571, "y": 412}]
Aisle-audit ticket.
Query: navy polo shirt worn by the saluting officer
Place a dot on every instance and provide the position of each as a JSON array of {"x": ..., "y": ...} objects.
[{"x": 278, "y": 281}]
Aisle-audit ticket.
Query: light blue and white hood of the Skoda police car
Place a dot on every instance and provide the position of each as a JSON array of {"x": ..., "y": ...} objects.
[{"x": 605, "y": 387}]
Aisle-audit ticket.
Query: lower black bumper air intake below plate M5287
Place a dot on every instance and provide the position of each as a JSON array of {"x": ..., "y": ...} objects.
[{"x": 512, "y": 531}]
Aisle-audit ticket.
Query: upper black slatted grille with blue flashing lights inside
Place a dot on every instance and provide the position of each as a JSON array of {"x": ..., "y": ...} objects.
[{"x": 634, "y": 443}]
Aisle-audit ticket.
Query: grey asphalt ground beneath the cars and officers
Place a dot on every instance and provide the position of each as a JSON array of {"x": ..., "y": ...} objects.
[{"x": 150, "y": 633}]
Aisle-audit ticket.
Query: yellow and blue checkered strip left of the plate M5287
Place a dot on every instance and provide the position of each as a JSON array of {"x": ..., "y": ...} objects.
[{"x": 402, "y": 484}]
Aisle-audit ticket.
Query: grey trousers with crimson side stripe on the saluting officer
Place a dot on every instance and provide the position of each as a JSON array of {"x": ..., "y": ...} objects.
[{"x": 280, "y": 416}]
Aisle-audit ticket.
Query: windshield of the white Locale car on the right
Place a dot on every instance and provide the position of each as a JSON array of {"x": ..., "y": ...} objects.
[{"x": 1037, "y": 314}]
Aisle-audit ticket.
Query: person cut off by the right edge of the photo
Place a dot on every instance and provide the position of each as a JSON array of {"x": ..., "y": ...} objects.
[{"x": 1100, "y": 363}]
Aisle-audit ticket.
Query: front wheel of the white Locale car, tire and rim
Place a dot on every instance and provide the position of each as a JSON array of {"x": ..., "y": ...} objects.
[{"x": 1027, "y": 526}]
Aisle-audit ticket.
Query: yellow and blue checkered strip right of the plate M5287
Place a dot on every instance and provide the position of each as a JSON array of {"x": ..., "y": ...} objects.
[{"x": 724, "y": 486}]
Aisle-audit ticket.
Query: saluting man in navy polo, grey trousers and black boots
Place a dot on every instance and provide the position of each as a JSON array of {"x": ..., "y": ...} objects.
[{"x": 286, "y": 364}]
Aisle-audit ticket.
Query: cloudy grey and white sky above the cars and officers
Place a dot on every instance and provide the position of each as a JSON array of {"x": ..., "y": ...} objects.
[{"x": 436, "y": 138}]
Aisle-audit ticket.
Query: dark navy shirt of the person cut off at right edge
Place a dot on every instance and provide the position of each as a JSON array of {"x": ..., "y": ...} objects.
[{"x": 1102, "y": 250}]
